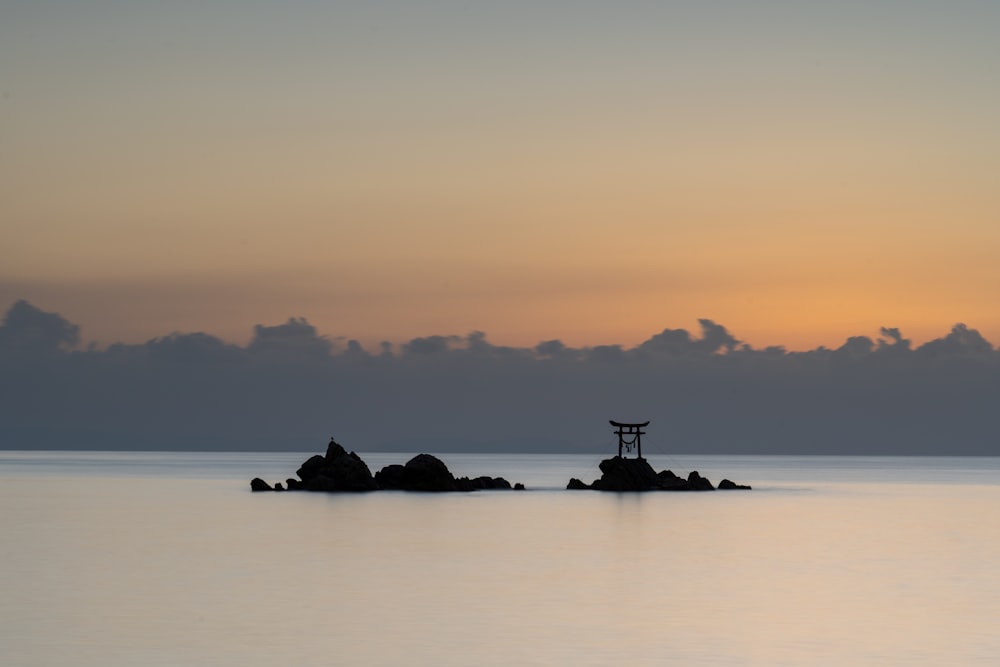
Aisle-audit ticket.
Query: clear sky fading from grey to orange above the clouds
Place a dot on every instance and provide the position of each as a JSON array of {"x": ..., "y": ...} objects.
[{"x": 595, "y": 172}]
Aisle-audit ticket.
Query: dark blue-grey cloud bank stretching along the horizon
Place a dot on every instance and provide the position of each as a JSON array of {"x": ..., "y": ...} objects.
[{"x": 290, "y": 389}]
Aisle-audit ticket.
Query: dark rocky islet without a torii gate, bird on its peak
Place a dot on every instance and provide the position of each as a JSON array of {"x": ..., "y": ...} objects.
[{"x": 340, "y": 471}]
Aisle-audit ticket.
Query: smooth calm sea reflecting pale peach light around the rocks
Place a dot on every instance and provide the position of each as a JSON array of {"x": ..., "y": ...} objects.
[{"x": 112, "y": 559}]
